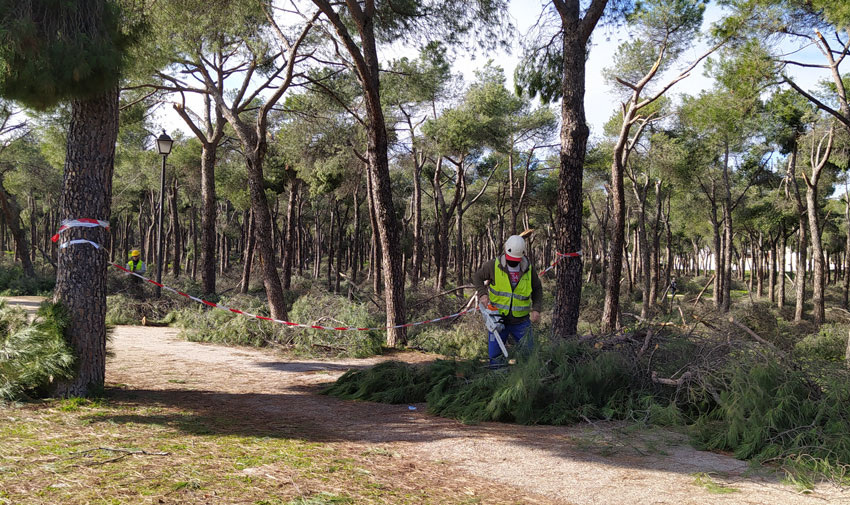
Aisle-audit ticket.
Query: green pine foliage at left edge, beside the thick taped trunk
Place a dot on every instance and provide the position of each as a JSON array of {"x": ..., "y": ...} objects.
[{"x": 33, "y": 355}]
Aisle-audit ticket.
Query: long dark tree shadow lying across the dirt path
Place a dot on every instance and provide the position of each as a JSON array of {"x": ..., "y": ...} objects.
[{"x": 304, "y": 415}]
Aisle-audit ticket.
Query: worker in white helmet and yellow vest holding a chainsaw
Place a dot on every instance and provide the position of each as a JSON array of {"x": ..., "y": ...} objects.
[{"x": 510, "y": 284}]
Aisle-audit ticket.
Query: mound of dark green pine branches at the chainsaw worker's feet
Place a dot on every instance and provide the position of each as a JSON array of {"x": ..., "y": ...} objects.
[{"x": 558, "y": 384}]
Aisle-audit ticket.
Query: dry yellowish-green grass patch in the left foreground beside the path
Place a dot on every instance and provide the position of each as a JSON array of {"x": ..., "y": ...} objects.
[{"x": 53, "y": 452}]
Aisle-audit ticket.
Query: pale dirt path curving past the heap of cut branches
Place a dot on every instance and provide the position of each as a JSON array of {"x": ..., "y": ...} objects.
[{"x": 589, "y": 464}]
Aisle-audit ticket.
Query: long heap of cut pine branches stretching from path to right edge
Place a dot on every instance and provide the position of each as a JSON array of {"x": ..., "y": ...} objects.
[{"x": 736, "y": 395}]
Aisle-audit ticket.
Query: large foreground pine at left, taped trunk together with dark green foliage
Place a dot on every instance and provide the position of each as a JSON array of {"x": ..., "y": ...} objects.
[{"x": 74, "y": 51}]
